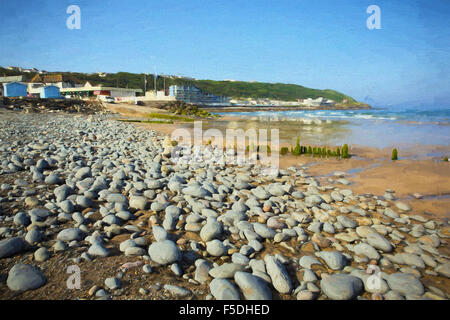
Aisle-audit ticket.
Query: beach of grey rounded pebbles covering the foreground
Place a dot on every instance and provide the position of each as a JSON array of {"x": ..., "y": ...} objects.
[{"x": 106, "y": 197}]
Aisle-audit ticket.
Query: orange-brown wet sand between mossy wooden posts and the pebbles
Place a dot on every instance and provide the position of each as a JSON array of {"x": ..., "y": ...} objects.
[{"x": 429, "y": 177}]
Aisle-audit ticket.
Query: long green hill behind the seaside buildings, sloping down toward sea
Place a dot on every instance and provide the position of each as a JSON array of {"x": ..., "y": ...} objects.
[{"x": 233, "y": 89}]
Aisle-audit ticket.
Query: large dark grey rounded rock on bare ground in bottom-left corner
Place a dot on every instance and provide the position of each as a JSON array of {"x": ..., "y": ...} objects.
[{"x": 24, "y": 277}]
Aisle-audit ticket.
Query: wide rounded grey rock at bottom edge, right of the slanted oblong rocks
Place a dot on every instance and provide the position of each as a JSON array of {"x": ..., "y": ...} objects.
[{"x": 341, "y": 286}]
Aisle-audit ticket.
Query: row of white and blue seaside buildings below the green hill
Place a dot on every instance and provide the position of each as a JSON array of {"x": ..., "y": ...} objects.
[{"x": 59, "y": 86}]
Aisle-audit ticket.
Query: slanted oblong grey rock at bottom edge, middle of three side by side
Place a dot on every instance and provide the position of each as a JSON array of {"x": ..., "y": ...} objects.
[{"x": 252, "y": 287}]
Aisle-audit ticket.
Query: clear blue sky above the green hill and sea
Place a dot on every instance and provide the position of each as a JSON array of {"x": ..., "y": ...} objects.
[{"x": 320, "y": 44}]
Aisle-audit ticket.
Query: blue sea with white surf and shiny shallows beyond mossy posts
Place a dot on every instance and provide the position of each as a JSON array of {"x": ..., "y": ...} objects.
[{"x": 380, "y": 127}]
